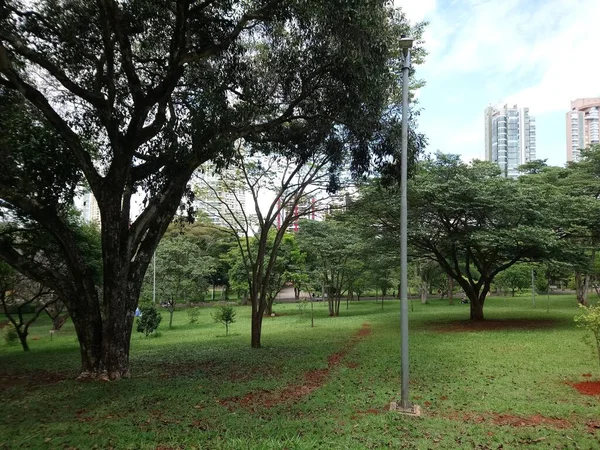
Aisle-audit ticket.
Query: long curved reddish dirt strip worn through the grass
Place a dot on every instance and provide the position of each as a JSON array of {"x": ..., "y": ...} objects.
[{"x": 294, "y": 392}]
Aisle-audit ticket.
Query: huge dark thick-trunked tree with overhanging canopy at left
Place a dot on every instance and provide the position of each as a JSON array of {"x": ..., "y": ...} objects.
[{"x": 136, "y": 94}]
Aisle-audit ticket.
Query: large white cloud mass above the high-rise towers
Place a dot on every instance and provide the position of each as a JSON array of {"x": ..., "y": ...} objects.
[{"x": 551, "y": 43}]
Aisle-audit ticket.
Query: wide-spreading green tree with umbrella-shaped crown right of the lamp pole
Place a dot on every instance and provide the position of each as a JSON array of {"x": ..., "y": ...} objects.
[{"x": 472, "y": 221}]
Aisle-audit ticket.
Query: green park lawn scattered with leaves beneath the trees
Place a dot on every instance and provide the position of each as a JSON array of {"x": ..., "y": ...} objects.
[{"x": 464, "y": 381}]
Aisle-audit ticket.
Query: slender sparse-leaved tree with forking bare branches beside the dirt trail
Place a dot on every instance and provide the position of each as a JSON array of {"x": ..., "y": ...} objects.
[{"x": 283, "y": 188}]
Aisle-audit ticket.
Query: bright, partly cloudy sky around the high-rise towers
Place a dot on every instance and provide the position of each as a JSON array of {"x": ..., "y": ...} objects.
[{"x": 540, "y": 54}]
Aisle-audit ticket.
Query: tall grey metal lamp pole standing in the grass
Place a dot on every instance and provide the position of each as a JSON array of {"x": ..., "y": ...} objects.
[{"x": 404, "y": 401}]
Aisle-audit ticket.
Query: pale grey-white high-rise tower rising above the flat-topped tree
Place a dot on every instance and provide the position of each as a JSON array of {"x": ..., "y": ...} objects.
[{"x": 509, "y": 137}]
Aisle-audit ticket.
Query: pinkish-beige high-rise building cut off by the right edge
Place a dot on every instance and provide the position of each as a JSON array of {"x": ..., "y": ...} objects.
[{"x": 582, "y": 126}]
